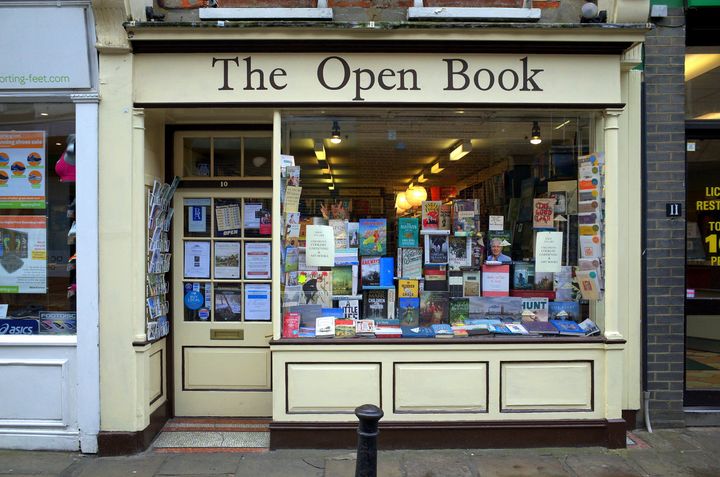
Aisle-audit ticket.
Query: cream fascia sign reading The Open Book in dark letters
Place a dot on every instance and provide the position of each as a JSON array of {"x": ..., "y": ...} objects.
[{"x": 371, "y": 78}]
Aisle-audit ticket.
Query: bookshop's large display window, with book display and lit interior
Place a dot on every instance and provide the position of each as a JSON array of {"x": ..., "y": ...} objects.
[{"x": 440, "y": 224}]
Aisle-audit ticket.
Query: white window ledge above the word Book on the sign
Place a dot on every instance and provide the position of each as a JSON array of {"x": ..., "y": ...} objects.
[{"x": 474, "y": 14}]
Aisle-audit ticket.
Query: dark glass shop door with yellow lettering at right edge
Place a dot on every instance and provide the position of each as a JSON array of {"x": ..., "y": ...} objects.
[{"x": 702, "y": 270}]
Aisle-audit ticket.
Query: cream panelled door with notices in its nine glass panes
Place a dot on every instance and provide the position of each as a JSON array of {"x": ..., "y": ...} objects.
[{"x": 221, "y": 302}]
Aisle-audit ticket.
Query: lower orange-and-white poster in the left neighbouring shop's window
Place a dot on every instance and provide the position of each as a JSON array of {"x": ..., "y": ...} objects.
[{"x": 23, "y": 254}]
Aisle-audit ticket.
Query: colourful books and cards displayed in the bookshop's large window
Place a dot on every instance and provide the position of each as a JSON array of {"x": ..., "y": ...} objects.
[{"x": 451, "y": 268}]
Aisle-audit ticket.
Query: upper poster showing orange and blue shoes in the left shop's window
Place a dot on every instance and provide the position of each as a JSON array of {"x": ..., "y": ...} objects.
[{"x": 22, "y": 170}]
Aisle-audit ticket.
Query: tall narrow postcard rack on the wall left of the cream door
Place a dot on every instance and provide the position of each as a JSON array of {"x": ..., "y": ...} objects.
[{"x": 160, "y": 216}]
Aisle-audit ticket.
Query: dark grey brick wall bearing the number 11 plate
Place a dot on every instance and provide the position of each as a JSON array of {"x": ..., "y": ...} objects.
[{"x": 665, "y": 253}]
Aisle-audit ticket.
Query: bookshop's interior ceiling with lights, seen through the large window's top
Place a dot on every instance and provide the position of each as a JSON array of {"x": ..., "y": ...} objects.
[{"x": 389, "y": 149}]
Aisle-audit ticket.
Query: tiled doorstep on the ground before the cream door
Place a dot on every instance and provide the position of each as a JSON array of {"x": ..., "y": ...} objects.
[{"x": 213, "y": 435}]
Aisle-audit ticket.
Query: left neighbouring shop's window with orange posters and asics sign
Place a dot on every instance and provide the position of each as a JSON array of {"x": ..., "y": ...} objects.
[{"x": 37, "y": 219}]
